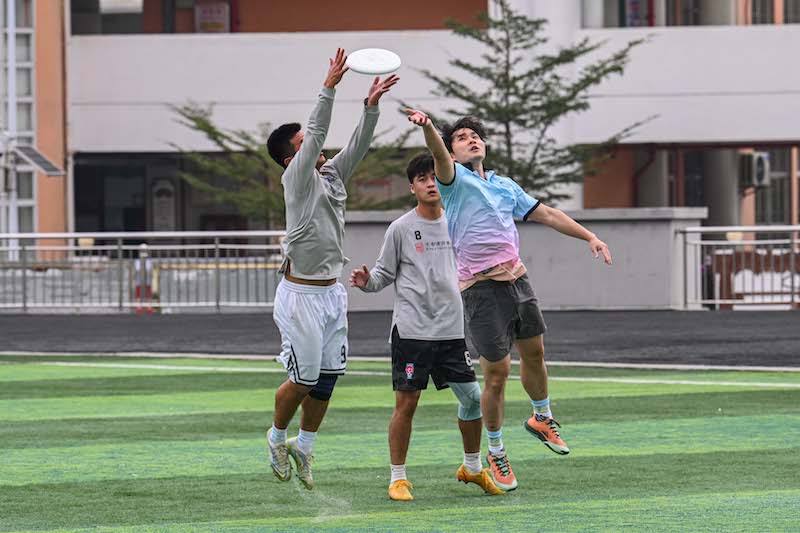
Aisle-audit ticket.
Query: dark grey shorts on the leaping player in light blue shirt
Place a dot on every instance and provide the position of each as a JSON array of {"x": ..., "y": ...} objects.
[{"x": 500, "y": 312}]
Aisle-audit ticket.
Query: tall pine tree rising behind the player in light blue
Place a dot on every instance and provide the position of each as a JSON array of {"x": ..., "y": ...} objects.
[{"x": 520, "y": 92}]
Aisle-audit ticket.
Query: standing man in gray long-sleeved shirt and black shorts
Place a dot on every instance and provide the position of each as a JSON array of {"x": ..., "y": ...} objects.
[{"x": 427, "y": 327}]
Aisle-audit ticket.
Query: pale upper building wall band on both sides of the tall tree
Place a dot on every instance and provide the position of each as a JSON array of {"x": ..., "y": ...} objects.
[{"x": 707, "y": 84}]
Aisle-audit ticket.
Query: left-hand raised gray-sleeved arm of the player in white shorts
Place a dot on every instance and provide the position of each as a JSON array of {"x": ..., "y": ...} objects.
[{"x": 300, "y": 169}]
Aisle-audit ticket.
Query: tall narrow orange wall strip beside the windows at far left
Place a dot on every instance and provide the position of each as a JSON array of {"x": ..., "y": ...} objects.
[{"x": 51, "y": 113}]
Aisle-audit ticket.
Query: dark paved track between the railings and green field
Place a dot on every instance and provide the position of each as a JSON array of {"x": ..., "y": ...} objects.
[{"x": 751, "y": 338}]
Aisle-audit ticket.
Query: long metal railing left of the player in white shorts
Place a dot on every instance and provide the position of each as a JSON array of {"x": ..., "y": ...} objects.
[{"x": 143, "y": 272}]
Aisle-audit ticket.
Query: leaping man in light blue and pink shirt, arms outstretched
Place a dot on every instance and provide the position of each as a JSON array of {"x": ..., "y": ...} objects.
[{"x": 500, "y": 306}]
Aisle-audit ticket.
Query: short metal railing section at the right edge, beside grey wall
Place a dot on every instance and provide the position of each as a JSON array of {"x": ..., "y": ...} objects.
[{"x": 741, "y": 267}]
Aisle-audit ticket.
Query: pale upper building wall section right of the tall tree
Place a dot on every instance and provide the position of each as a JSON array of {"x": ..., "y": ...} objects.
[{"x": 706, "y": 84}]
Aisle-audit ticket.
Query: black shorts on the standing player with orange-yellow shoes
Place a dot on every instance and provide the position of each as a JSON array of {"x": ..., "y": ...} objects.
[{"x": 414, "y": 360}]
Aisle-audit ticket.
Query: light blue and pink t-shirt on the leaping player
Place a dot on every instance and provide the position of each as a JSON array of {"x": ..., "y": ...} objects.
[{"x": 480, "y": 218}]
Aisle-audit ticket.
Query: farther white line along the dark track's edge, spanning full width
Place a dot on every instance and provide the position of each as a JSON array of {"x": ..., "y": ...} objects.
[{"x": 252, "y": 357}]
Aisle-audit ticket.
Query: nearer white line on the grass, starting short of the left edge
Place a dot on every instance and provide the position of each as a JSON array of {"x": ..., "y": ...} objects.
[{"x": 386, "y": 374}]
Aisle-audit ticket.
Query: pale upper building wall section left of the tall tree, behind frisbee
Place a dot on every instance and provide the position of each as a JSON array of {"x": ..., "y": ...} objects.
[{"x": 120, "y": 86}]
